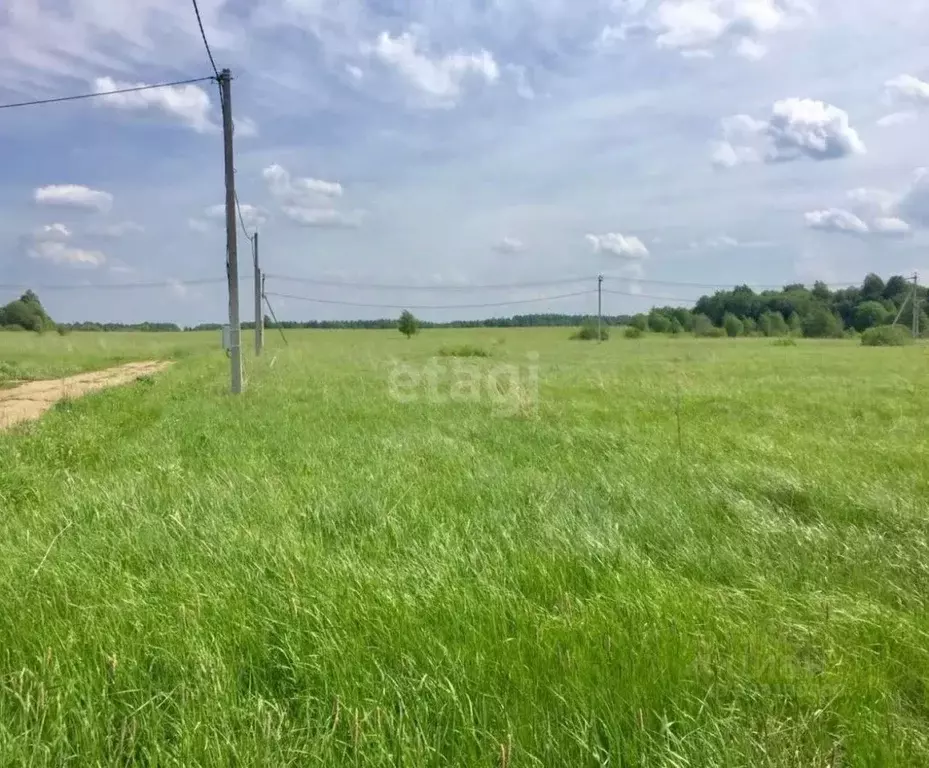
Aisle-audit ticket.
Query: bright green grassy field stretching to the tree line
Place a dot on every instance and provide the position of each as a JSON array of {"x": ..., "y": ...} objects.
[{"x": 665, "y": 552}]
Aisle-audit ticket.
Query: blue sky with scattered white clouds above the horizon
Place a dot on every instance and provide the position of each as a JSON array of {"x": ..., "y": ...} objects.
[{"x": 457, "y": 144}]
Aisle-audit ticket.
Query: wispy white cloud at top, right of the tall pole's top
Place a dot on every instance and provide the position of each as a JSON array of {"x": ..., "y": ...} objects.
[{"x": 440, "y": 78}]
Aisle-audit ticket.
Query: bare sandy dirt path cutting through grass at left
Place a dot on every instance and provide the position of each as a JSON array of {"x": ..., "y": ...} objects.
[{"x": 29, "y": 401}]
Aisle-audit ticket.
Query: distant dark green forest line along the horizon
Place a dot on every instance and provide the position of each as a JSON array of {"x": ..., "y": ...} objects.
[{"x": 815, "y": 312}]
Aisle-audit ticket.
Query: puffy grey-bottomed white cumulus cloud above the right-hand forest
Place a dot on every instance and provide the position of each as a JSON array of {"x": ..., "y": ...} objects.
[{"x": 797, "y": 128}]
